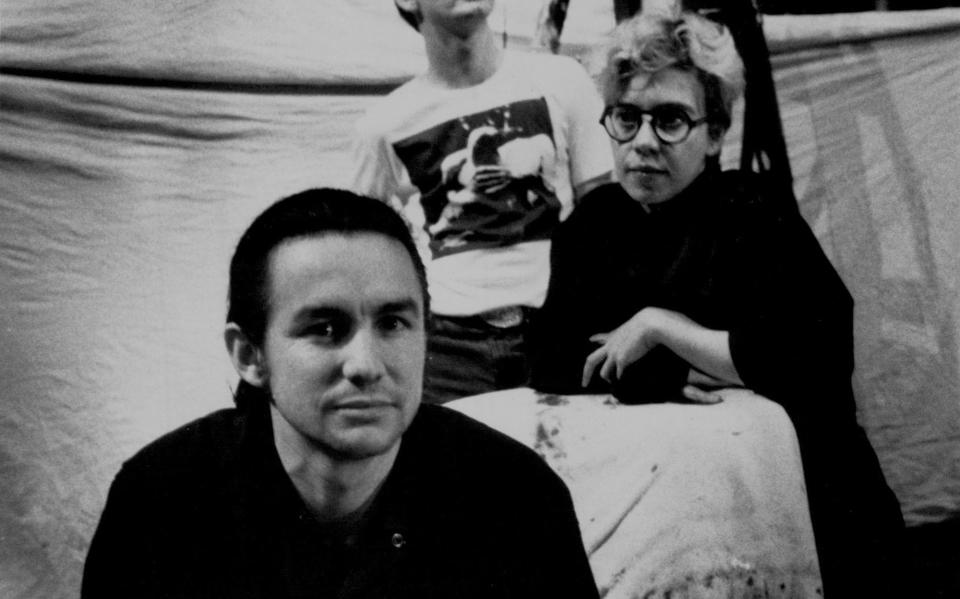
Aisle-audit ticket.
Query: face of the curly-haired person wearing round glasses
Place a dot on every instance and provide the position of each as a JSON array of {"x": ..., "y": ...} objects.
[{"x": 648, "y": 169}]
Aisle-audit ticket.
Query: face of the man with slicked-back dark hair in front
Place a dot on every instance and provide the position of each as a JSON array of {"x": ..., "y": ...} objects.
[{"x": 345, "y": 344}]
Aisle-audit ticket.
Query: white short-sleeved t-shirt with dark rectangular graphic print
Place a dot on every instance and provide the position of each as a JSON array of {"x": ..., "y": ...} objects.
[{"x": 484, "y": 174}]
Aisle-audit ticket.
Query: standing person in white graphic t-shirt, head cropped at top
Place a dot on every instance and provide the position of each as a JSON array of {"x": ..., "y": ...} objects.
[{"x": 484, "y": 153}]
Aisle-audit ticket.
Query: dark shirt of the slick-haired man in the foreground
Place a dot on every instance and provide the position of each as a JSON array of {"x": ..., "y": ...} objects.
[{"x": 208, "y": 511}]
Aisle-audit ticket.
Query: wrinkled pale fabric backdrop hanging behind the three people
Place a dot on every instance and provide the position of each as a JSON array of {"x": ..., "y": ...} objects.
[{"x": 137, "y": 140}]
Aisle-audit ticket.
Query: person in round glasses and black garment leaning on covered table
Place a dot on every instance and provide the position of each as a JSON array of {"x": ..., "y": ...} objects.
[{"x": 680, "y": 279}]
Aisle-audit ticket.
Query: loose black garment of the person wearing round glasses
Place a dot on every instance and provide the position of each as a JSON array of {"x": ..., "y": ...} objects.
[{"x": 730, "y": 259}]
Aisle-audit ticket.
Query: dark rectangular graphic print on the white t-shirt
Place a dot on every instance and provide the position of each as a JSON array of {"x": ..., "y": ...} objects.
[{"x": 486, "y": 179}]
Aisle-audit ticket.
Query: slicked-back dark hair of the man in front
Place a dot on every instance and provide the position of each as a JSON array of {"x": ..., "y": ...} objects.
[{"x": 306, "y": 214}]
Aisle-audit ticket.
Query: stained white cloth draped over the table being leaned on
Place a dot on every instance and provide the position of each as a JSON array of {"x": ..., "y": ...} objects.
[{"x": 674, "y": 500}]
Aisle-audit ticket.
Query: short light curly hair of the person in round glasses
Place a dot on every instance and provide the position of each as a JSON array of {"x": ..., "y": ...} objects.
[{"x": 652, "y": 41}]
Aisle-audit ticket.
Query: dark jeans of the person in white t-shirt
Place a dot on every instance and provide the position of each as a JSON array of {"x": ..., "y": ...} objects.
[{"x": 466, "y": 355}]
